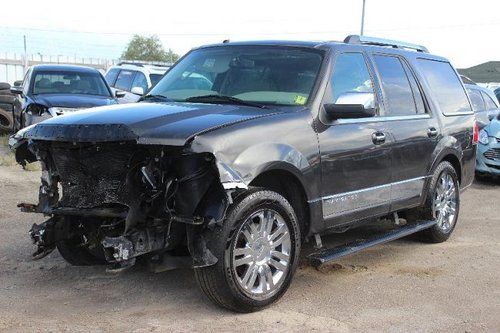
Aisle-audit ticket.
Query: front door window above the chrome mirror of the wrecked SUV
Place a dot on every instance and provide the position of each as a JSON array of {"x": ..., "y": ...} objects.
[{"x": 351, "y": 82}]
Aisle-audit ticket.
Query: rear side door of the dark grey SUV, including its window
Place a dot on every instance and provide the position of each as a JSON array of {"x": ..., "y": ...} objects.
[{"x": 415, "y": 131}]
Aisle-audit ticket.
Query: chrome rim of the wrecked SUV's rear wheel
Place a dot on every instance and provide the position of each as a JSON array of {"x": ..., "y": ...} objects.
[{"x": 444, "y": 204}]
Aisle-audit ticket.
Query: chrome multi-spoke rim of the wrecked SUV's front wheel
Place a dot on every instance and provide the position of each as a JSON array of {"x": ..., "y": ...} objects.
[{"x": 261, "y": 254}]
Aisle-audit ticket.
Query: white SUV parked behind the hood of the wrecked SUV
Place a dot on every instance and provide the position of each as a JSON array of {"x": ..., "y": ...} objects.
[{"x": 135, "y": 79}]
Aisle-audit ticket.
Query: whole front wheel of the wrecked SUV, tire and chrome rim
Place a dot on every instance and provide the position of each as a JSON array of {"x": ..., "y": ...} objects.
[{"x": 245, "y": 253}]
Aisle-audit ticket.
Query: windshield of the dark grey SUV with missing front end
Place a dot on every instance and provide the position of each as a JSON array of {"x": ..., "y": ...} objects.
[{"x": 261, "y": 74}]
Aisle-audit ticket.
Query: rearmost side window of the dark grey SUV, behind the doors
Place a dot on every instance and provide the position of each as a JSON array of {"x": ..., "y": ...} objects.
[{"x": 445, "y": 85}]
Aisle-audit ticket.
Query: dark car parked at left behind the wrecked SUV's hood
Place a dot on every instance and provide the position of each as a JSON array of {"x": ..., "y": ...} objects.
[{"x": 52, "y": 90}]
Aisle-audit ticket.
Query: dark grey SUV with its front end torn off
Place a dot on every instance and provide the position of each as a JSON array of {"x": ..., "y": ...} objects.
[{"x": 291, "y": 141}]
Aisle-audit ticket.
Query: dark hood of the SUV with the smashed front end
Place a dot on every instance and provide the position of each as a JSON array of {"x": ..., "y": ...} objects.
[{"x": 147, "y": 123}]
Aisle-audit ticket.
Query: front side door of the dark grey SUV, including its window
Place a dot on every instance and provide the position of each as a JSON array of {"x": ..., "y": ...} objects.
[{"x": 355, "y": 153}]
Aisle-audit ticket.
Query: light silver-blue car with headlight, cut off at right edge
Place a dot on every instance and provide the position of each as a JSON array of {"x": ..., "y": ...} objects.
[{"x": 488, "y": 149}]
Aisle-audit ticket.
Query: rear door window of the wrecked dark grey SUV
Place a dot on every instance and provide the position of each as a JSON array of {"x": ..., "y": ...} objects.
[{"x": 398, "y": 93}]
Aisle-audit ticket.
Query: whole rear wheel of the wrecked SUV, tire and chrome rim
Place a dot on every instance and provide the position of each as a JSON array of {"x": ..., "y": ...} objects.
[{"x": 449, "y": 201}]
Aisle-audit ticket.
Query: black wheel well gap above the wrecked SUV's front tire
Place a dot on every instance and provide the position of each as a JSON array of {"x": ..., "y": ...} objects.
[{"x": 290, "y": 187}]
